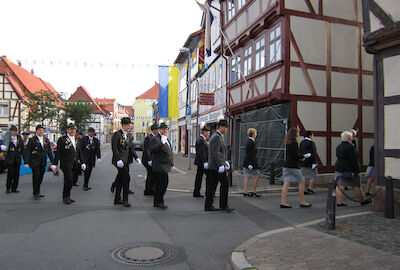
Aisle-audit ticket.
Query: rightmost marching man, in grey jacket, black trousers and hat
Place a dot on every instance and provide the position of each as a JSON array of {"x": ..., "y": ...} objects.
[{"x": 218, "y": 166}]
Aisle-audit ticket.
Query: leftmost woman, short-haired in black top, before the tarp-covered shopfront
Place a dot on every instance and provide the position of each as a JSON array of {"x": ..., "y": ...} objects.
[{"x": 250, "y": 165}]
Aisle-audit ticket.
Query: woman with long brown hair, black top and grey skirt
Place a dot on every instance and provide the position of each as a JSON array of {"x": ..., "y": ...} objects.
[{"x": 291, "y": 170}]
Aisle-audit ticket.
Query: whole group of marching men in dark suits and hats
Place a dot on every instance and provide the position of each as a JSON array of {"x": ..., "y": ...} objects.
[{"x": 75, "y": 156}]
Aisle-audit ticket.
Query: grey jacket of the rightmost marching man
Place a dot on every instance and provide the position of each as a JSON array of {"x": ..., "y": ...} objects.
[{"x": 217, "y": 154}]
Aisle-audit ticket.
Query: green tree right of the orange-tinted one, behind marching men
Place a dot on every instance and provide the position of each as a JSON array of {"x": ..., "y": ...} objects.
[{"x": 79, "y": 113}]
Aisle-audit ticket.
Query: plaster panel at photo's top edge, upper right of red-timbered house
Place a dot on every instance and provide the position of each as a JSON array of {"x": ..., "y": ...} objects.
[{"x": 343, "y": 9}]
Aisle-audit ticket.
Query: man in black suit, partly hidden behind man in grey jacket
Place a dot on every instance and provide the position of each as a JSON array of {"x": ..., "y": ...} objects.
[{"x": 201, "y": 159}]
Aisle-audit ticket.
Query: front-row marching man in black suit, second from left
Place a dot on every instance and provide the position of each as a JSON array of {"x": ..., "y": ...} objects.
[{"x": 36, "y": 153}]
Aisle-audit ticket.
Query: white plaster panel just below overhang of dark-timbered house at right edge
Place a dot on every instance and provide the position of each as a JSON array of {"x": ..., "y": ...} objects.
[{"x": 391, "y": 68}]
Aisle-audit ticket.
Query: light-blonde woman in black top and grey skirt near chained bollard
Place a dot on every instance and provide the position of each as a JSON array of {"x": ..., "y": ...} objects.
[{"x": 346, "y": 167}]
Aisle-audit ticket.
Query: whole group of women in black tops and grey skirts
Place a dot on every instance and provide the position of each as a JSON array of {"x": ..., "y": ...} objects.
[{"x": 301, "y": 164}]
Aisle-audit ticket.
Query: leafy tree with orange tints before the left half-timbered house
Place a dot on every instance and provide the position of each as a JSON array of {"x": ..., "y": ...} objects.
[{"x": 41, "y": 106}]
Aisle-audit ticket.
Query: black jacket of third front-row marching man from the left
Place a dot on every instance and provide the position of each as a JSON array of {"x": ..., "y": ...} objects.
[{"x": 66, "y": 153}]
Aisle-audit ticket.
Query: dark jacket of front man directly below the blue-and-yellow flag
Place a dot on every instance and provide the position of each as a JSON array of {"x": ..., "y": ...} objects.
[{"x": 161, "y": 155}]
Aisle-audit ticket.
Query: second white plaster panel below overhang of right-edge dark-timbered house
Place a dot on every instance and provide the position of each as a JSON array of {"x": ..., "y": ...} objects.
[{"x": 392, "y": 126}]
